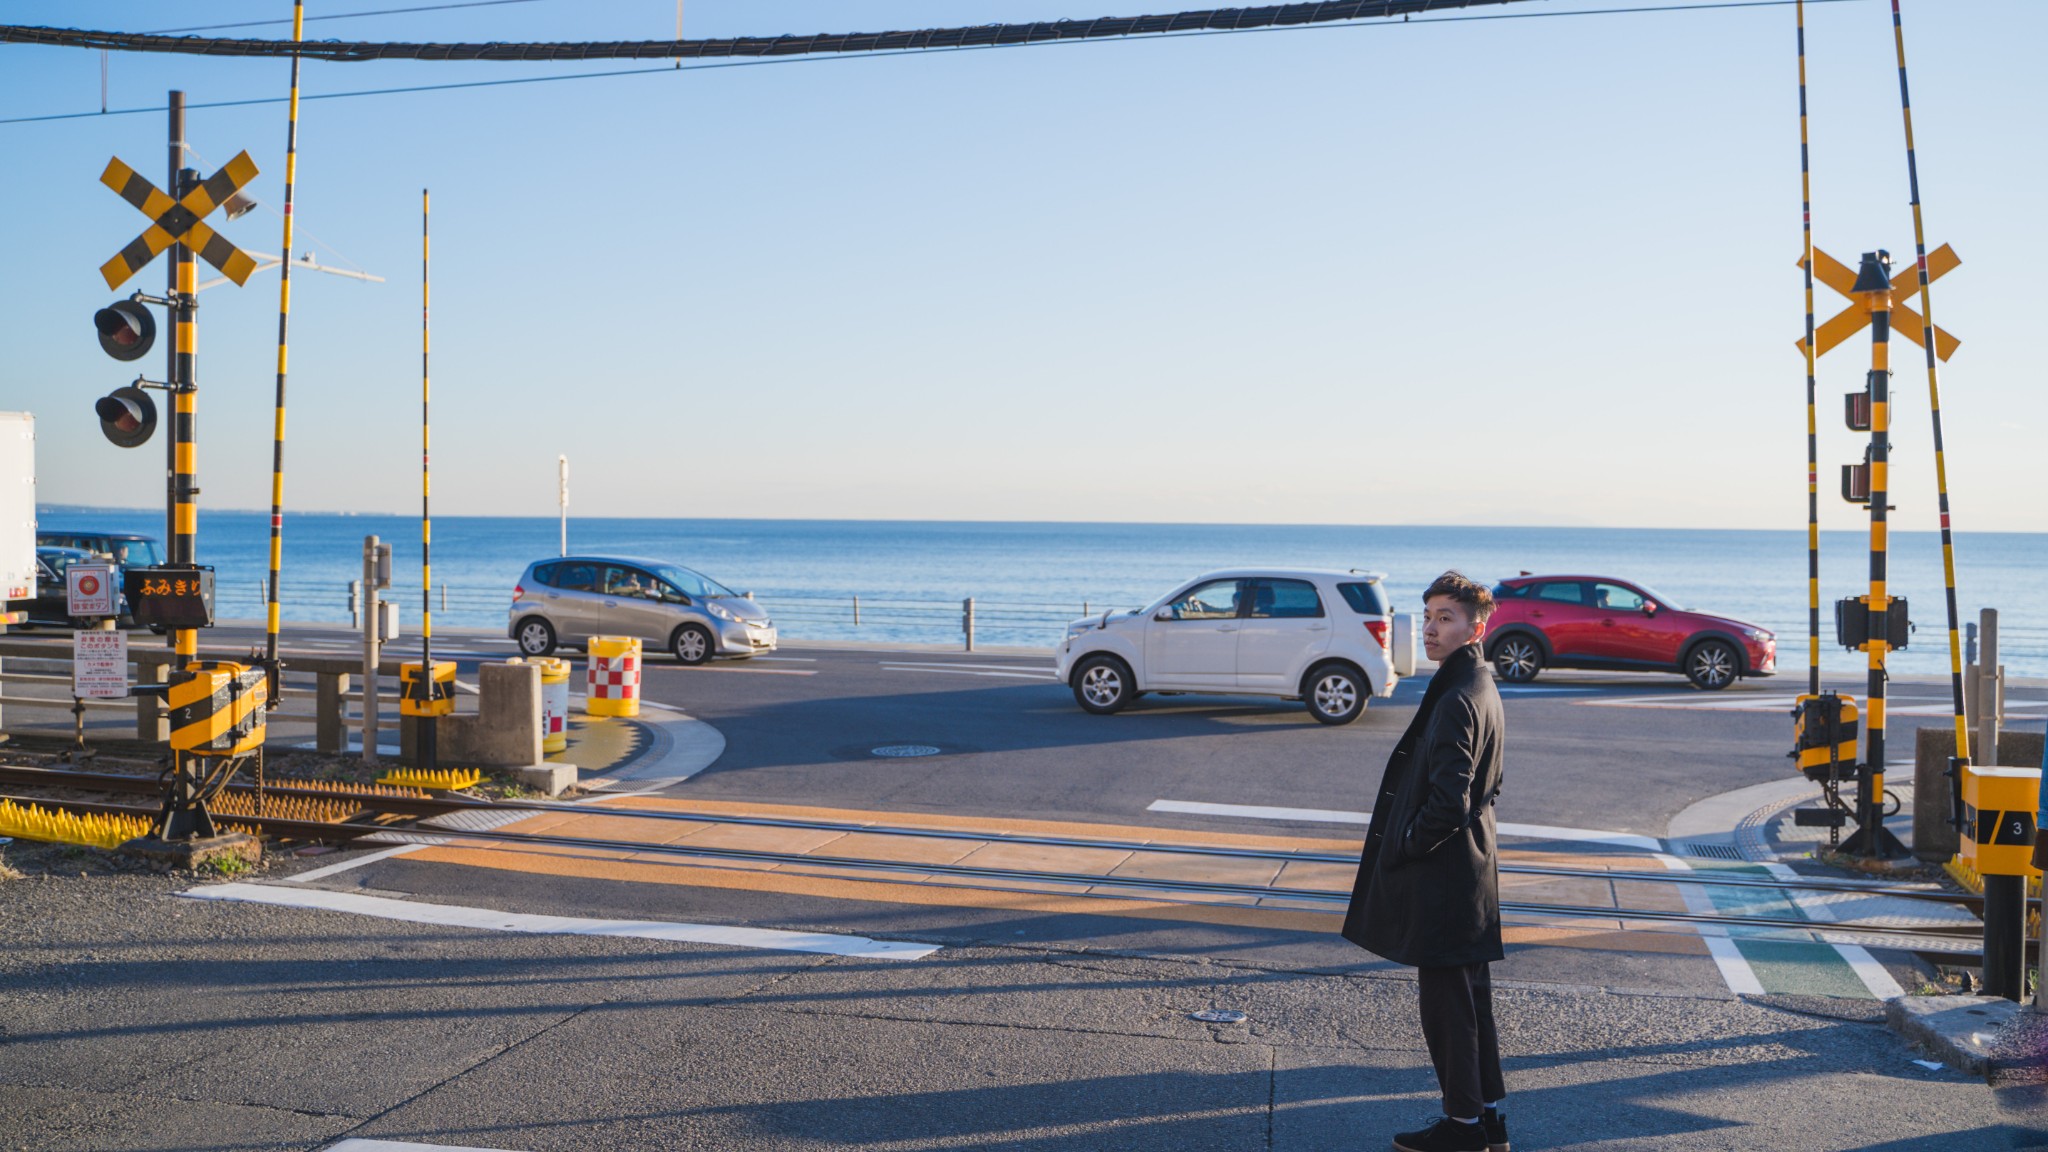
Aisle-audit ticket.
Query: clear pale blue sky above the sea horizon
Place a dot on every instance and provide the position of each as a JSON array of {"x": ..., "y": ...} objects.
[{"x": 1498, "y": 272}]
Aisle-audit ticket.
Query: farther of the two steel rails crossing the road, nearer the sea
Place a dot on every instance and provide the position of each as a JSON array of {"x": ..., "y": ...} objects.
[{"x": 439, "y": 807}]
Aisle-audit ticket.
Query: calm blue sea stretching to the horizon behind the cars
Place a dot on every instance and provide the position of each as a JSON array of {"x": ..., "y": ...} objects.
[{"x": 1029, "y": 579}]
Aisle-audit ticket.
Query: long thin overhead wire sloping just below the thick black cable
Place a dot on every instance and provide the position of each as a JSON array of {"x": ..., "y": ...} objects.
[{"x": 615, "y": 73}]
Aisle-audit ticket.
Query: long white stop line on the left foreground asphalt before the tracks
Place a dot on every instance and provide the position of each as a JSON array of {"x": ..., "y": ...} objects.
[{"x": 493, "y": 919}]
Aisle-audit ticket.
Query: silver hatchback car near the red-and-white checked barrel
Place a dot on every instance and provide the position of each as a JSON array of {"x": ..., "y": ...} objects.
[{"x": 570, "y": 600}]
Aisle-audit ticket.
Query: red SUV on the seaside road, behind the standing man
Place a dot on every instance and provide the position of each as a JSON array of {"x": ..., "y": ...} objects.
[{"x": 1596, "y": 622}]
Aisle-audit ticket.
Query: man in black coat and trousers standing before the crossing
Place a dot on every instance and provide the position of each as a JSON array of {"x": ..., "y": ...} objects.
[{"x": 1428, "y": 891}]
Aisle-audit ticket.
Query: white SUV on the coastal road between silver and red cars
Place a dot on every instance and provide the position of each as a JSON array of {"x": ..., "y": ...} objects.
[{"x": 1281, "y": 632}]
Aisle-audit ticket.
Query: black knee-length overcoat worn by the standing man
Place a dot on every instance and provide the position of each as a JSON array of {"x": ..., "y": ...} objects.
[{"x": 1428, "y": 891}]
